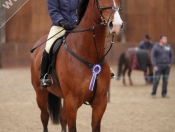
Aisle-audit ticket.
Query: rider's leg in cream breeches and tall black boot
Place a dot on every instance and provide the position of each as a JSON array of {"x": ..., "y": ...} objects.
[{"x": 45, "y": 58}]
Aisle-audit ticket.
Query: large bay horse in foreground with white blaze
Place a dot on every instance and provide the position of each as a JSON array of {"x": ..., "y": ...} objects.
[{"x": 75, "y": 76}]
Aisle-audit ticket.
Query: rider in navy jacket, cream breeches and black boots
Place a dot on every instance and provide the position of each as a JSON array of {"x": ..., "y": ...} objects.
[{"x": 64, "y": 17}]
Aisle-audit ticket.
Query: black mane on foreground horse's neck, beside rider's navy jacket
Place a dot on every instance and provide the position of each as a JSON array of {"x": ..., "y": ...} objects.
[{"x": 82, "y": 9}]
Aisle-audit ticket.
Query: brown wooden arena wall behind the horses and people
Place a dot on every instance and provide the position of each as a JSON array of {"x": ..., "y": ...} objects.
[{"x": 32, "y": 21}]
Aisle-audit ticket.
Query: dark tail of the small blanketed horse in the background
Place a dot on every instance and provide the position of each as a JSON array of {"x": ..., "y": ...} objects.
[{"x": 120, "y": 64}]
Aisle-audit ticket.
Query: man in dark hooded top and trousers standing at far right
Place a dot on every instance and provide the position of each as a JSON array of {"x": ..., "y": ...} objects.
[{"x": 162, "y": 58}]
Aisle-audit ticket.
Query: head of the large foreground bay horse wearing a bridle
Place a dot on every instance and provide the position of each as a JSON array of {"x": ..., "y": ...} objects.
[{"x": 109, "y": 13}]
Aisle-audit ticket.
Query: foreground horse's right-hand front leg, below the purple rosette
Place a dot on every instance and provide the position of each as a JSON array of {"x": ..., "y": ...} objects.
[{"x": 98, "y": 109}]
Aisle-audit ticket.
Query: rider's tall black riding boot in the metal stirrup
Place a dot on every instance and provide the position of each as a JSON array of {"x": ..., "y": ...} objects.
[{"x": 44, "y": 80}]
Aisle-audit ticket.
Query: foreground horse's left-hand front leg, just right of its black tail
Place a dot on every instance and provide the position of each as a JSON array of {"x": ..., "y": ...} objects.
[{"x": 71, "y": 112}]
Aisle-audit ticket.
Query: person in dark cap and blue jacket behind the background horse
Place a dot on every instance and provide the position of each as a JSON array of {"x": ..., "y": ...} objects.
[{"x": 146, "y": 44}]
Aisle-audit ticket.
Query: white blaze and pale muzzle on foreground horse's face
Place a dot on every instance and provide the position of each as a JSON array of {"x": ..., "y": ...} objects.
[{"x": 117, "y": 23}]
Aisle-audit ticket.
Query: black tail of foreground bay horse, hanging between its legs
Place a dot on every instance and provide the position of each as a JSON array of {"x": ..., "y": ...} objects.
[{"x": 54, "y": 108}]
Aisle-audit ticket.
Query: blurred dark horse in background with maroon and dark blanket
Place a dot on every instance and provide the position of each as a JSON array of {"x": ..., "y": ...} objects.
[{"x": 135, "y": 59}]
